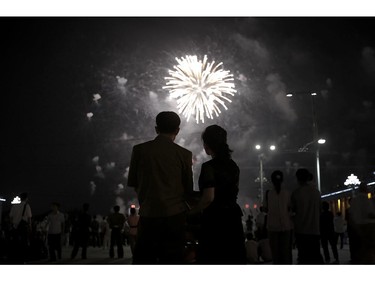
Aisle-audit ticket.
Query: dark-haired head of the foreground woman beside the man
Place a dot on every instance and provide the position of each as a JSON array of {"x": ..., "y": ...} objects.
[{"x": 215, "y": 141}]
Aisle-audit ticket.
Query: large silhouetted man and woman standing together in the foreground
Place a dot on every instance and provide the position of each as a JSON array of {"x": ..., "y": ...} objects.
[{"x": 161, "y": 174}]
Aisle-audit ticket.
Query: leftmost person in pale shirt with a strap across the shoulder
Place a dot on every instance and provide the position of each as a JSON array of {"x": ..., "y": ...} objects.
[{"x": 20, "y": 219}]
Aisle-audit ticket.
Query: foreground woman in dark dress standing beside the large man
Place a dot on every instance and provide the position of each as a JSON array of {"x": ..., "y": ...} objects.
[{"x": 221, "y": 237}]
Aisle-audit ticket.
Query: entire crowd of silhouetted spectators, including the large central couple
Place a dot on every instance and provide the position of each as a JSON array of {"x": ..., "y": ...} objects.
[{"x": 177, "y": 225}]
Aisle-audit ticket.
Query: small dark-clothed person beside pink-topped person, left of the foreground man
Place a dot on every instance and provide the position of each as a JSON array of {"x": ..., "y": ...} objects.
[{"x": 116, "y": 223}]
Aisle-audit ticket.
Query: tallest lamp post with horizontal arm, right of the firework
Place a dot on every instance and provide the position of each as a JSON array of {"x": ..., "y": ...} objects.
[{"x": 315, "y": 132}]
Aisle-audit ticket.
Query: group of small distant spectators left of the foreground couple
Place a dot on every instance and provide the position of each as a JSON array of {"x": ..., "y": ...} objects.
[{"x": 24, "y": 239}]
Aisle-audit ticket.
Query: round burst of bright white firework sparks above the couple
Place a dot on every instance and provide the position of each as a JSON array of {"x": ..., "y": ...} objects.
[{"x": 199, "y": 87}]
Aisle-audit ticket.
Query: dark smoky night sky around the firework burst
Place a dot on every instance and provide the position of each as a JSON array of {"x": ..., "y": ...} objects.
[{"x": 52, "y": 67}]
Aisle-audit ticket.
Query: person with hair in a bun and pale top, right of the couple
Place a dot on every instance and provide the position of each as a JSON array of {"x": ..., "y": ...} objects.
[{"x": 279, "y": 223}]
